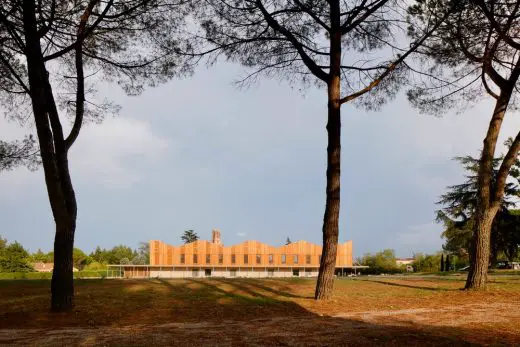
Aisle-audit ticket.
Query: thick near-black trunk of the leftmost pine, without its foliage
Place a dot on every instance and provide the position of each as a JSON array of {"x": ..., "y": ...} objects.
[{"x": 54, "y": 160}]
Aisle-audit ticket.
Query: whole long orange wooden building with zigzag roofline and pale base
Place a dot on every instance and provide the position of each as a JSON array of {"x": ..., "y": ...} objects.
[{"x": 248, "y": 259}]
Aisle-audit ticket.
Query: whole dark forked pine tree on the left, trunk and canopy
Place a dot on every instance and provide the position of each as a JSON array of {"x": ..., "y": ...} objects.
[{"x": 47, "y": 51}]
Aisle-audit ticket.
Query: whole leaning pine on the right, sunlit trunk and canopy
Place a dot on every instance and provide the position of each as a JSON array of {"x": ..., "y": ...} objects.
[{"x": 475, "y": 52}]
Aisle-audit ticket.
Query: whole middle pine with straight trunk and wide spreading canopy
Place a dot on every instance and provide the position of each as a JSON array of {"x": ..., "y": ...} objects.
[{"x": 348, "y": 47}]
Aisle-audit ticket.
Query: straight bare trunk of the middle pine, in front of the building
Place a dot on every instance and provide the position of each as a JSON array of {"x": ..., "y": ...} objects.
[{"x": 325, "y": 283}]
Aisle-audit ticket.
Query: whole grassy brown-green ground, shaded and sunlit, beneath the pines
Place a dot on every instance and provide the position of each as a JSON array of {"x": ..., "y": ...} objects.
[{"x": 396, "y": 311}]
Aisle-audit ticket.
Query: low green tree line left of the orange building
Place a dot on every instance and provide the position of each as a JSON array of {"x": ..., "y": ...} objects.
[{"x": 15, "y": 258}]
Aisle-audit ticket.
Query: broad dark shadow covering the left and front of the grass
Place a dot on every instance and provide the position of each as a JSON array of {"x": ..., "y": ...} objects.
[{"x": 207, "y": 312}]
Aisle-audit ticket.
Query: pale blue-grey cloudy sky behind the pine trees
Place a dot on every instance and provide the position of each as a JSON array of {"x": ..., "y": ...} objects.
[{"x": 199, "y": 153}]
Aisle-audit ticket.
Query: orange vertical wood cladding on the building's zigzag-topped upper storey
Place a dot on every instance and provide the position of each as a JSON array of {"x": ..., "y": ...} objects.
[{"x": 246, "y": 254}]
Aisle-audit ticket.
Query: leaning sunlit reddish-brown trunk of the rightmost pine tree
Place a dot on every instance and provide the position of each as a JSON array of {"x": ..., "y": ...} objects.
[{"x": 488, "y": 204}]
